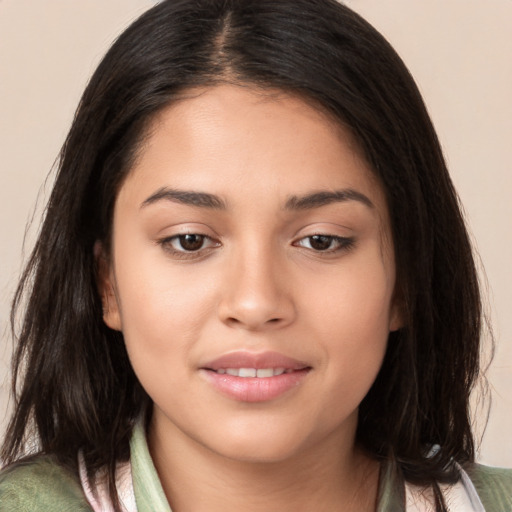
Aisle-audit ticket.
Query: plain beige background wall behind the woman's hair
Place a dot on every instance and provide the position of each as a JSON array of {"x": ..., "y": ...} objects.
[{"x": 460, "y": 52}]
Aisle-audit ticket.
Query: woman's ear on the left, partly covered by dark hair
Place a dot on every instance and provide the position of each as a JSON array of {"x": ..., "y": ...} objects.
[{"x": 105, "y": 282}]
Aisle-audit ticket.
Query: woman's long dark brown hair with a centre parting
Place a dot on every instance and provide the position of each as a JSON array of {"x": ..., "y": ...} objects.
[{"x": 75, "y": 388}]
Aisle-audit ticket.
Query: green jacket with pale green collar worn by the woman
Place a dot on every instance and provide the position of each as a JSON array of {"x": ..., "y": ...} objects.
[{"x": 41, "y": 485}]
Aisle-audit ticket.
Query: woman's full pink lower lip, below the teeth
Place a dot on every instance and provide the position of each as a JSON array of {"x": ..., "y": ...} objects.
[{"x": 254, "y": 389}]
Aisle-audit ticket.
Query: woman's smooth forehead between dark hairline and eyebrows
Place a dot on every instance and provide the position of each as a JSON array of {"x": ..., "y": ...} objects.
[{"x": 231, "y": 140}]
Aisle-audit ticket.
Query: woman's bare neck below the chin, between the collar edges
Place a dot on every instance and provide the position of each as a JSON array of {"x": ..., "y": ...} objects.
[{"x": 319, "y": 478}]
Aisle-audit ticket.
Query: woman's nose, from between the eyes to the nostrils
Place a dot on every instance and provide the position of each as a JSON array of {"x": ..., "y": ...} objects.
[{"x": 256, "y": 294}]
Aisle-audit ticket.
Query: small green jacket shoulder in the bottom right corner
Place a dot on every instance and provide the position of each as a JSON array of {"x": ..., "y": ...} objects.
[{"x": 493, "y": 485}]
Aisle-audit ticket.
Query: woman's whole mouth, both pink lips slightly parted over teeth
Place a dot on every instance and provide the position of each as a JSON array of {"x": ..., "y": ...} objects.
[{"x": 248, "y": 377}]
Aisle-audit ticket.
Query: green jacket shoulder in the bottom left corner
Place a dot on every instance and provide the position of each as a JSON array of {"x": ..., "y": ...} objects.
[{"x": 40, "y": 484}]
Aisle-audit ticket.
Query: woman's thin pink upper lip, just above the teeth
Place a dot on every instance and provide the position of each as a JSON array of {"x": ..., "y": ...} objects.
[{"x": 242, "y": 359}]
